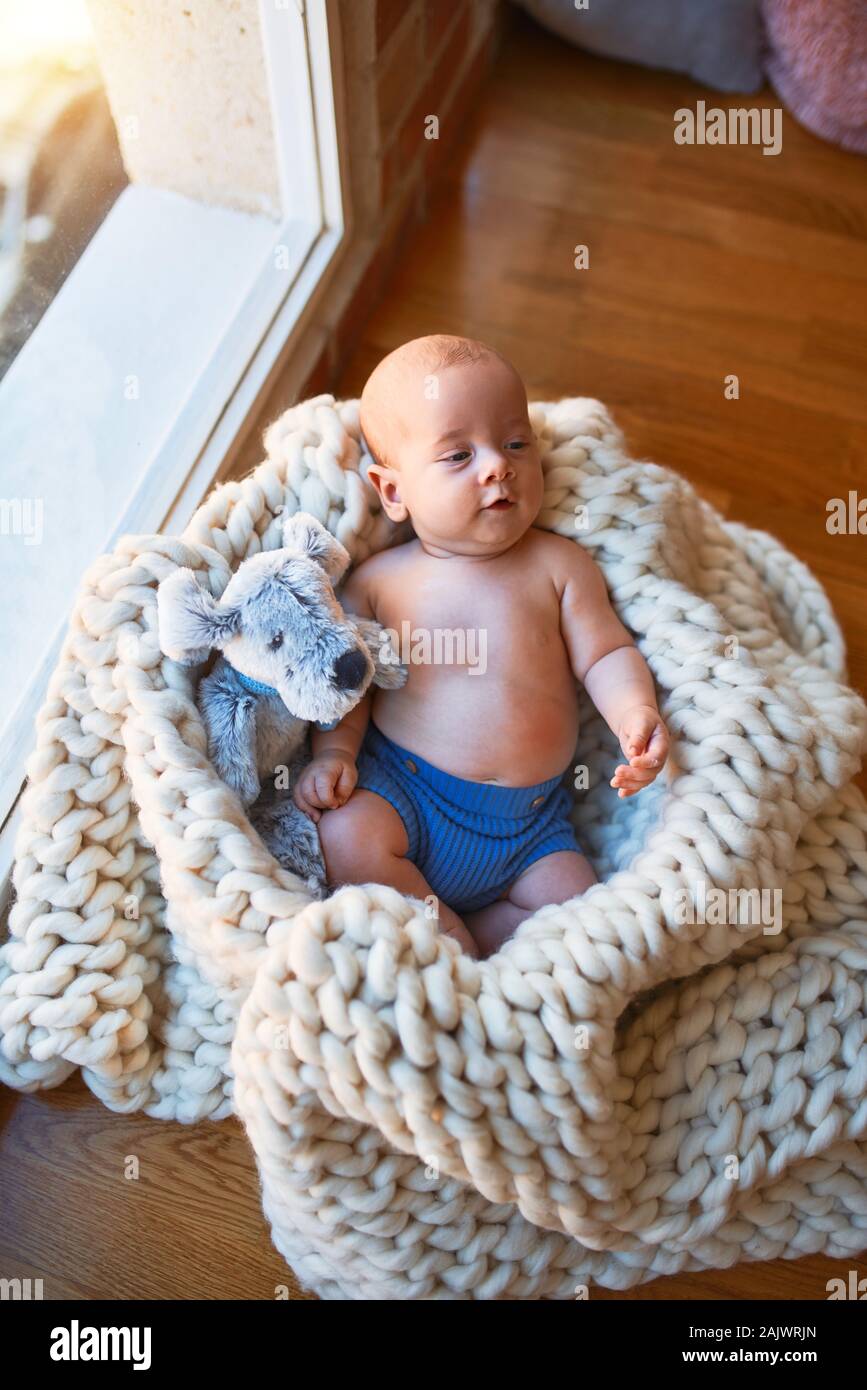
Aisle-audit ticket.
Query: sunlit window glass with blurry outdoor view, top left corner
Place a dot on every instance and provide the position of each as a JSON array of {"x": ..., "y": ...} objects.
[{"x": 60, "y": 163}]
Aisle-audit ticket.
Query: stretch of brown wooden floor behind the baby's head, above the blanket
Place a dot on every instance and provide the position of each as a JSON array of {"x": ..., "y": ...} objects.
[{"x": 705, "y": 262}]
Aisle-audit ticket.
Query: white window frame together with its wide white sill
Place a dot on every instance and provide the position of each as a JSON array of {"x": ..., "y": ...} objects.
[{"x": 131, "y": 394}]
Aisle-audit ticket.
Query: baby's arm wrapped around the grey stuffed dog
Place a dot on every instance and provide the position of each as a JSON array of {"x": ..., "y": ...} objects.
[{"x": 331, "y": 776}]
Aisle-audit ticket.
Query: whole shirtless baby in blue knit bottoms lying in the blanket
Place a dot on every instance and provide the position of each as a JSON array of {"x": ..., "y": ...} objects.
[{"x": 456, "y": 786}]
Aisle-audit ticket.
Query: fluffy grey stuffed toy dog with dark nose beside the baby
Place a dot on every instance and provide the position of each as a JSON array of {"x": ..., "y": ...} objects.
[{"x": 290, "y": 657}]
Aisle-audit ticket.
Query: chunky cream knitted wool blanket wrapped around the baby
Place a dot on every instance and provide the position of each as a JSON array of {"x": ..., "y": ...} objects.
[{"x": 622, "y": 1092}]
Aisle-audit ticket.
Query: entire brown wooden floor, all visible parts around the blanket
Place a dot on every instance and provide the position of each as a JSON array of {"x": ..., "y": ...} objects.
[{"x": 704, "y": 262}]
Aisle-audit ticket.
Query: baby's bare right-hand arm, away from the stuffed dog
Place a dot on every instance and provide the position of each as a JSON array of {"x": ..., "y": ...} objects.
[{"x": 612, "y": 671}]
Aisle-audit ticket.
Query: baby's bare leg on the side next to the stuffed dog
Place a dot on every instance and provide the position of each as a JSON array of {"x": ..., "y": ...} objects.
[{"x": 365, "y": 842}]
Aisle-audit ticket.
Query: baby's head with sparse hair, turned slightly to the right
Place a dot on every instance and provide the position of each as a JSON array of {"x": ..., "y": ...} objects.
[{"x": 445, "y": 420}]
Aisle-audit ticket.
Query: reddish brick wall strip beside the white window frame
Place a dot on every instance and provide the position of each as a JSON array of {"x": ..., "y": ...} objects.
[{"x": 405, "y": 60}]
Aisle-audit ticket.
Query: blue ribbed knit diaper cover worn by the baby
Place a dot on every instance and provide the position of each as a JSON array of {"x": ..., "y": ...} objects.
[{"x": 470, "y": 840}]
